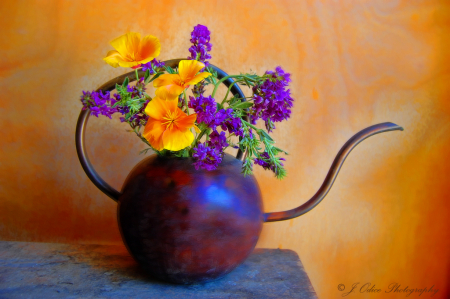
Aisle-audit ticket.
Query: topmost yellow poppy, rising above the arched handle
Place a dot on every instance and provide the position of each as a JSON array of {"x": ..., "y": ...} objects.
[{"x": 132, "y": 51}]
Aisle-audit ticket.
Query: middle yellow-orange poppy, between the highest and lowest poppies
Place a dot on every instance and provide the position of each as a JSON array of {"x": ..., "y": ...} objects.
[{"x": 172, "y": 85}]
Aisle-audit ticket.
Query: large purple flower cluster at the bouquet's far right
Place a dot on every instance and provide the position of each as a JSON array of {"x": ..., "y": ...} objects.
[{"x": 272, "y": 101}]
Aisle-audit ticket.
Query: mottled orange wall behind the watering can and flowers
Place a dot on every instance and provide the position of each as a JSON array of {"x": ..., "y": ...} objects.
[{"x": 353, "y": 64}]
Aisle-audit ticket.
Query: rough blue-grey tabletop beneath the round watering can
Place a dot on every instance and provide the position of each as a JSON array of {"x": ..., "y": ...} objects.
[{"x": 47, "y": 270}]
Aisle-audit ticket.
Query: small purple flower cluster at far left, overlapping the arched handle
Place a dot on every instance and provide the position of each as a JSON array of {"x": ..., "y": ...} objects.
[{"x": 98, "y": 103}]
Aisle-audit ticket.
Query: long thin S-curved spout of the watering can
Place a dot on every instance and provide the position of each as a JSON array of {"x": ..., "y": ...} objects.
[{"x": 332, "y": 173}]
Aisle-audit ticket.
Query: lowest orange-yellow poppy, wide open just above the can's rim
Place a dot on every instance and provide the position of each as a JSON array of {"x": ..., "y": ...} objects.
[{"x": 168, "y": 127}]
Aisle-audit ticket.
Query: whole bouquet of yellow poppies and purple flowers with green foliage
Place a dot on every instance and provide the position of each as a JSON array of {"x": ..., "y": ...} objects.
[{"x": 200, "y": 126}]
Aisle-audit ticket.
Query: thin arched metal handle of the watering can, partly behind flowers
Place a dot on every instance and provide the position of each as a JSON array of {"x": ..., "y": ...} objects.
[{"x": 109, "y": 86}]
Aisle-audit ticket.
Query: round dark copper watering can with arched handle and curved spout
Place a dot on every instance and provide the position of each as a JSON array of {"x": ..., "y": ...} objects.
[{"x": 187, "y": 226}]
